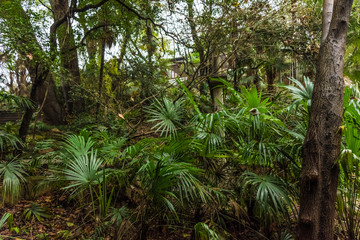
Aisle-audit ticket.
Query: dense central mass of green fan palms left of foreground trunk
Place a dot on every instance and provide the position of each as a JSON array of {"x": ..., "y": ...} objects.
[{"x": 190, "y": 169}]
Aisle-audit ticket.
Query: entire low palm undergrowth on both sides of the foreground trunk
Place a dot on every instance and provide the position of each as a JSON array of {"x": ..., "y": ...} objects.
[{"x": 219, "y": 175}]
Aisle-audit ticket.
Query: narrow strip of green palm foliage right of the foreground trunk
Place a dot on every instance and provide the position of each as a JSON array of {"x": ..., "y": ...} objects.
[{"x": 349, "y": 161}]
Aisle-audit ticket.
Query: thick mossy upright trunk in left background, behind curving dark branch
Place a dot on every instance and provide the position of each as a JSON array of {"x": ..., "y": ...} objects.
[{"x": 68, "y": 55}]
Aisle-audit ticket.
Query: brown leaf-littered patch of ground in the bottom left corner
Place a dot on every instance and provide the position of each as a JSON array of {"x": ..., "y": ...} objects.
[{"x": 59, "y": 218}]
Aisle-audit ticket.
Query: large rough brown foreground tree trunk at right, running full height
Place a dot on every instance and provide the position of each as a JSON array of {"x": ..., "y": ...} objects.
[{"x": 319, "y": 176}]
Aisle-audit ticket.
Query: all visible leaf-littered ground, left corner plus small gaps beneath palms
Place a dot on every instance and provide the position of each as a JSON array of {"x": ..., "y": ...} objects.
[{"x": 66, "y": 220}]
